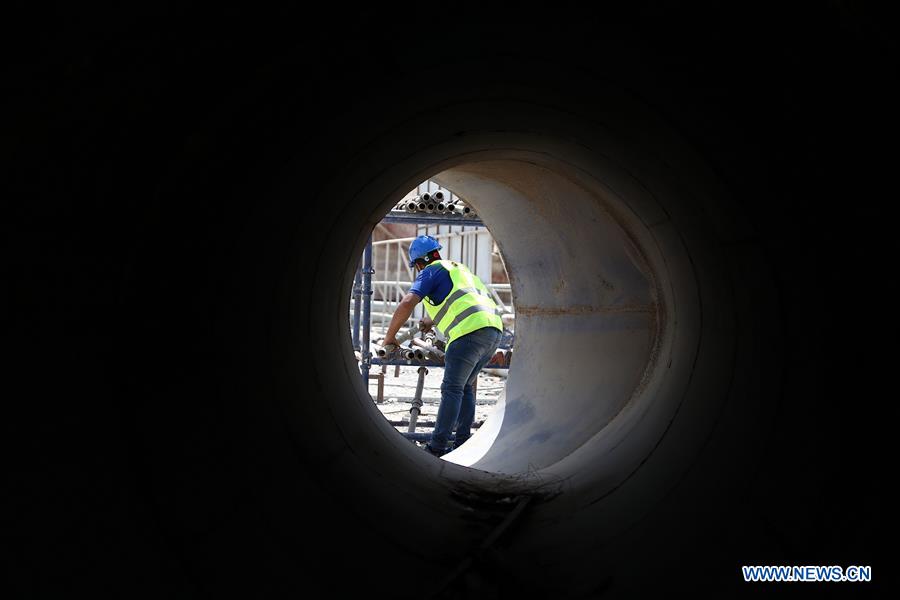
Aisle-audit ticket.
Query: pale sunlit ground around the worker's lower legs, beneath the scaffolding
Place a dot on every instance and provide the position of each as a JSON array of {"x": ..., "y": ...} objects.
[{"x": 399, "y": 392}]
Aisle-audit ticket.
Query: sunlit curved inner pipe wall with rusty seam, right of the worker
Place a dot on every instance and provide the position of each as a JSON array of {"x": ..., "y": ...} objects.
[{"x": 588, "y": 310}]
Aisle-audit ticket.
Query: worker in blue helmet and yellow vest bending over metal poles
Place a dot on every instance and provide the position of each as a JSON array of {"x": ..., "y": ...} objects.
[{"x": 459, "y": 305}]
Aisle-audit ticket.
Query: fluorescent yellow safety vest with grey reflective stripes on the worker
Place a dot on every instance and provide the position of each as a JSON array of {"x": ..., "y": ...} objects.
[{"x": 466, "y": 308}]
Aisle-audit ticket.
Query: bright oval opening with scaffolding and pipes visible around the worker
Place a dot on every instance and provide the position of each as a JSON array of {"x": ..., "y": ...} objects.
[{"x": 407, "y": 383}]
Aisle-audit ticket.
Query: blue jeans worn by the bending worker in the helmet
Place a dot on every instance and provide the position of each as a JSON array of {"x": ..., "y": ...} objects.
[{"x": 464, "y": 359}]
